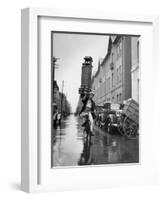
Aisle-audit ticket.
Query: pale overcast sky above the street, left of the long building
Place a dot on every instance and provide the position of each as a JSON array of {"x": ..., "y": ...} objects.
[{"x": 71, "y": 50}]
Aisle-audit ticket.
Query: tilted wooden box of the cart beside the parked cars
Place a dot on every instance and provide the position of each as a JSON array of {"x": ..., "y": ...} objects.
[{"x": 131, "y": 110}]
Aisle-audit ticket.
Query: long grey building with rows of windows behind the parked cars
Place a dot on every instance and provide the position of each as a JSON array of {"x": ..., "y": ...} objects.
[{"x": 112, "y": 81}]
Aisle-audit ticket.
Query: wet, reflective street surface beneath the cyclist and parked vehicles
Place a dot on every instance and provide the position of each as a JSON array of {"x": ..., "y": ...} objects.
[{"x": 70, "y": 148}]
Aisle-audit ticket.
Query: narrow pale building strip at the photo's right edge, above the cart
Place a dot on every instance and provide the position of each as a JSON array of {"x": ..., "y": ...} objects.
[{"x": 135, "y": 67}]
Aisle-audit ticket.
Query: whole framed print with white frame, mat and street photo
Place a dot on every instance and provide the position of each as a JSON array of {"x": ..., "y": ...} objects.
[{"x": 86, "y": 100}]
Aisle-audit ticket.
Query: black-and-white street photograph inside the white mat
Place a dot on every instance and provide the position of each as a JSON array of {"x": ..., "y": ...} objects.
[{"x": 95, "y": 94}]
